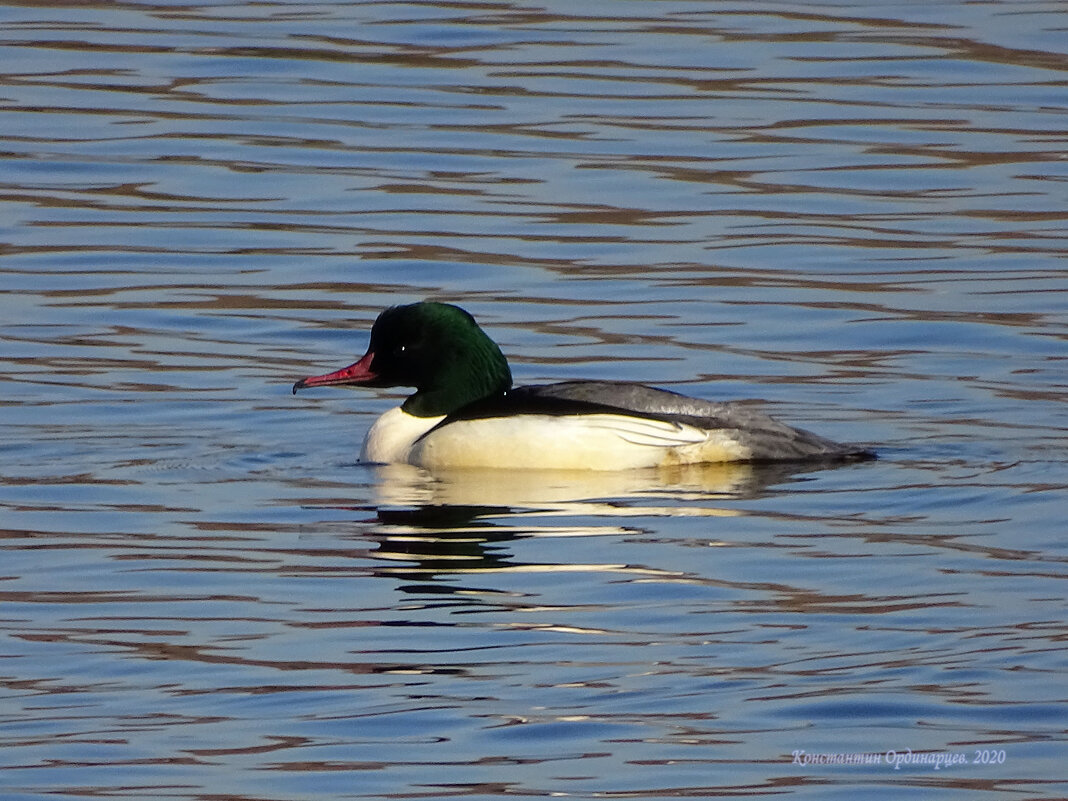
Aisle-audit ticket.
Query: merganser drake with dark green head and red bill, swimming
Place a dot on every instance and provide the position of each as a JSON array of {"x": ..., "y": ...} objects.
[{"x": 465, "y": 413}]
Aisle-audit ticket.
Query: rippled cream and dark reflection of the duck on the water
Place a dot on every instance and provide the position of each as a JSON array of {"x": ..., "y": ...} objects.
[{"x": 439, "y": 525}]
